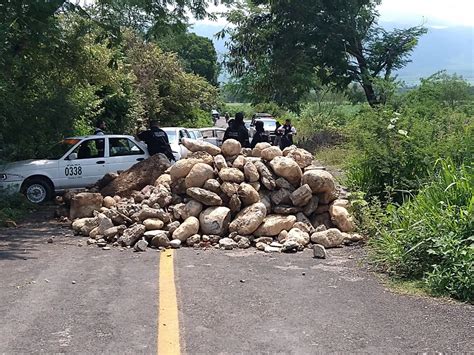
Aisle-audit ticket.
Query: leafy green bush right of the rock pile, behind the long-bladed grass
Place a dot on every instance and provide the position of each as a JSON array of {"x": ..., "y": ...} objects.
[{"x": 396, "y": 151}]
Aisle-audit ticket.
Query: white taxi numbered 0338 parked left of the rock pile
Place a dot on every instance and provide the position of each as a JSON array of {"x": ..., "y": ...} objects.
[{"x": 73, "y": 163}]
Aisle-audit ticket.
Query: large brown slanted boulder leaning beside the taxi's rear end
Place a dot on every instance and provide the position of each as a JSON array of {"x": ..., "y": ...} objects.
[{"x": 138, "y": 176}]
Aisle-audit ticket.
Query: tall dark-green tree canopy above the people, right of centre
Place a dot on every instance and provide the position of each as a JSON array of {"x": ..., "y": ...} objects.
[{"x": 284, "y": 45}]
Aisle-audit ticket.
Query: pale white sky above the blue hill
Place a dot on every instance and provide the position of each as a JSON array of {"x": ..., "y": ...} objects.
[{"x": 431, "y": 13}]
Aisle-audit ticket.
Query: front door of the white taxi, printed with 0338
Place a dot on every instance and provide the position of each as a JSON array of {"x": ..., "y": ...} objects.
[{"x": 84, "y": 167}]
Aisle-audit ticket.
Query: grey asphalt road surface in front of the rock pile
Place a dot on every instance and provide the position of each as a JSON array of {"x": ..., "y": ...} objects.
[{"x": 59, "y": 297}]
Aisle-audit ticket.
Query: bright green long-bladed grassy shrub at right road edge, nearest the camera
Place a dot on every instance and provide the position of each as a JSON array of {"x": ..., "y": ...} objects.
[{"x": 431, "y": 237}]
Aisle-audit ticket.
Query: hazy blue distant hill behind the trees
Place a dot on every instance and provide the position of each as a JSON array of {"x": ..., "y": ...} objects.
[{"x": 450, "y": 49}]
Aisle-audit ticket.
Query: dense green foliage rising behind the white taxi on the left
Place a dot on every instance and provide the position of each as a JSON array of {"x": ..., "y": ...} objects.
[{"x": 63, "y": 67}]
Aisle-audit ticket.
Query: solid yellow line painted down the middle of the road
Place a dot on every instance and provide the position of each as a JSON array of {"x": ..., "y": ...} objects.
[{"x": 168, "y": 322}]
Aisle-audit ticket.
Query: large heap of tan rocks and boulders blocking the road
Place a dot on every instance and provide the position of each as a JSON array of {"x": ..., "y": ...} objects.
[{"x": 228, "y": 197}]
